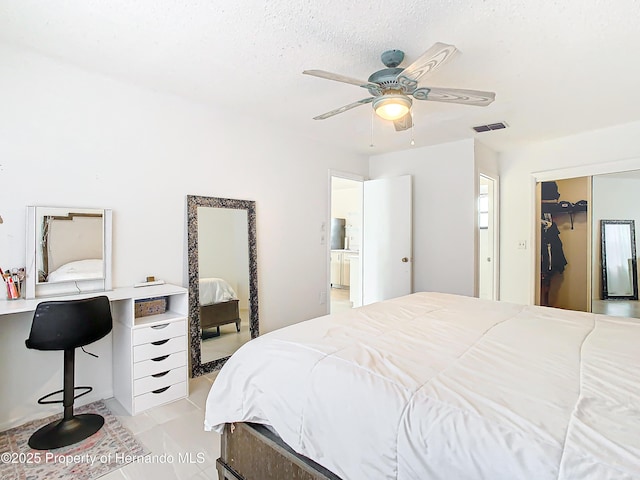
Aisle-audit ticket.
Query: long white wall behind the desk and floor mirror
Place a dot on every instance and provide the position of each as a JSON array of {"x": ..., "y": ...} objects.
[{"x": 71, "y": 138}]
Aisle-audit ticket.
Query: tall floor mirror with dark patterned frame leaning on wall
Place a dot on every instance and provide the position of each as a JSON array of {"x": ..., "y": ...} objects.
[{"x": 223, "y": 279}]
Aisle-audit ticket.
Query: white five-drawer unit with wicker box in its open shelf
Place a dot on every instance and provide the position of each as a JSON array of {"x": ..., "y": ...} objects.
[{"x": 150, "y": 353}]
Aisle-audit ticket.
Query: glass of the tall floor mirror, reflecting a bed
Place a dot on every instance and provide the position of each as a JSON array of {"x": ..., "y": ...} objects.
[{"x": 223, "y": 267}]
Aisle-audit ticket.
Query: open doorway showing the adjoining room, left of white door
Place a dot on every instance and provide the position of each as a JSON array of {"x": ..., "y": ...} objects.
[{"x": 345, "y": 237}]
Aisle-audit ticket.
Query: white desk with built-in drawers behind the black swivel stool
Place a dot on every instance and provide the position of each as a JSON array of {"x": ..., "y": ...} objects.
[{"x": 28, "y": 374}]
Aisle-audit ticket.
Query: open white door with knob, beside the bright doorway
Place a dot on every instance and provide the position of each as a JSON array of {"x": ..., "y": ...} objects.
[{"x": 387, "y": 245}]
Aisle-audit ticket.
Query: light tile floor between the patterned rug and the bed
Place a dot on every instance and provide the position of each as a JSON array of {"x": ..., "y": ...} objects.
[{"x": 176, "y": 431}]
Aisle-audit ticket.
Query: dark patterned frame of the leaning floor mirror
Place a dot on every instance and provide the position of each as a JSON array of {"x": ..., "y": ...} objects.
[{"x": 193, "y": 202}]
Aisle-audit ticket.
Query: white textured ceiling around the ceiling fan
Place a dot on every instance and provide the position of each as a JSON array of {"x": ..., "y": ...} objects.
[{"x": 557, "y": 67}]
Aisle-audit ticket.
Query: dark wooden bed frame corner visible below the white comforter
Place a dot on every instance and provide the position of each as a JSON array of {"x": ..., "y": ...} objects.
[{"x": 253, "y": 452}]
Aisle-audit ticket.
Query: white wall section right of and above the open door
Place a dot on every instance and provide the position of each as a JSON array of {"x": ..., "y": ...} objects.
[{"x": 444, "y": 200}]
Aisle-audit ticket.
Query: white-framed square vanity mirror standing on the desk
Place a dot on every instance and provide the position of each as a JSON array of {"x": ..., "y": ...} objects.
[{"x": 68, "y": 250}]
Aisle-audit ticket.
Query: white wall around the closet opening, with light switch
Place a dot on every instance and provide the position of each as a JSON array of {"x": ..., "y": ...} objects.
[{"x": 601, "y": 151}]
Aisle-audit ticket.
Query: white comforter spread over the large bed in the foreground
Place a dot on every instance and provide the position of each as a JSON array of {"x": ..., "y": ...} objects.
[{"x": 437, "y": 386}]
